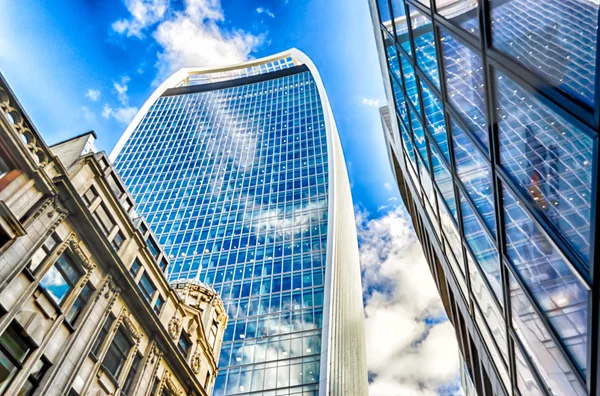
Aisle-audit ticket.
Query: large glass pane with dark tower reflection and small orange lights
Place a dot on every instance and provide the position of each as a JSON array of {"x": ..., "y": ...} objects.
[{"x": 549, "y": 158}]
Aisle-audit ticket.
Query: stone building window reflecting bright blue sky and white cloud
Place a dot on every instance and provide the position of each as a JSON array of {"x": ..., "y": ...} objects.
[{"x": 60, "y": 279}]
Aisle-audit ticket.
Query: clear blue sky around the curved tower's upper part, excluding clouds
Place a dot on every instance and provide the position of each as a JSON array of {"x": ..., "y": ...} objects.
[{"x": 69, "y": 47}]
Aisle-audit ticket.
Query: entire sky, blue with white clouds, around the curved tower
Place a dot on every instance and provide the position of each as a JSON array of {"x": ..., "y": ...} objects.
[{"x": 80, "y": 65}]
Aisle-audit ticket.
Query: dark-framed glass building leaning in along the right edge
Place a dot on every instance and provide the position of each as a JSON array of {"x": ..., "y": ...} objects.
[{"x": 493, "y": 137}]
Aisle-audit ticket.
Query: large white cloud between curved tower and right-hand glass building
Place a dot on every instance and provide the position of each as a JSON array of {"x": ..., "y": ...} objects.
[{"x": 405, "y": 354}]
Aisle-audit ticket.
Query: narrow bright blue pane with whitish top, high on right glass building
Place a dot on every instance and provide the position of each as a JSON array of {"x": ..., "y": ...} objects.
[{"x": 424, "y": 45}]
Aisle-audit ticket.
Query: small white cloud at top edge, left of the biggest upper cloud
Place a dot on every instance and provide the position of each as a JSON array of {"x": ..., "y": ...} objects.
[{"x": 144, "y": 13}]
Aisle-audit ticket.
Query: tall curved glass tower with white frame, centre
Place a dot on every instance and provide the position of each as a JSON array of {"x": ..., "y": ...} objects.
[{"x": 240, "y": 173}]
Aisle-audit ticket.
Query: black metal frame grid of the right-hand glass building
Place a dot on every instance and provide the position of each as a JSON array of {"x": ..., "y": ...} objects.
[{"x": 586, "y": 118}]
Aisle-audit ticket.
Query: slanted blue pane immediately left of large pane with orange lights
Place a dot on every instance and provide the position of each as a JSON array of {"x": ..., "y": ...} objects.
[{"x": 465, "y": 84}]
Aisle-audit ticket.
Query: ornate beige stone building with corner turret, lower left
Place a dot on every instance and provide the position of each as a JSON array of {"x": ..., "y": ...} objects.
[{"x": 85, "y": 306}]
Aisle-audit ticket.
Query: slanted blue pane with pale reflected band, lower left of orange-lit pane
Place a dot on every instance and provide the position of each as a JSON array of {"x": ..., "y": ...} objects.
[{"x": 476, "y": 176}]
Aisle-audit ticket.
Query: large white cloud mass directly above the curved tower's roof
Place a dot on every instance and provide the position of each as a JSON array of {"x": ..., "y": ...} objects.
[{"x": 191, "y": 37}]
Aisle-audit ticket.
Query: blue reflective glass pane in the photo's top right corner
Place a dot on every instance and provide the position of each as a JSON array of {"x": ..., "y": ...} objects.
[{"x": 553, "y": 38}]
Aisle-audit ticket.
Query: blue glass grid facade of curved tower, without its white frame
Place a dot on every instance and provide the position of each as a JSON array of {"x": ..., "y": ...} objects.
[{"x": 234, "y": 183}]
